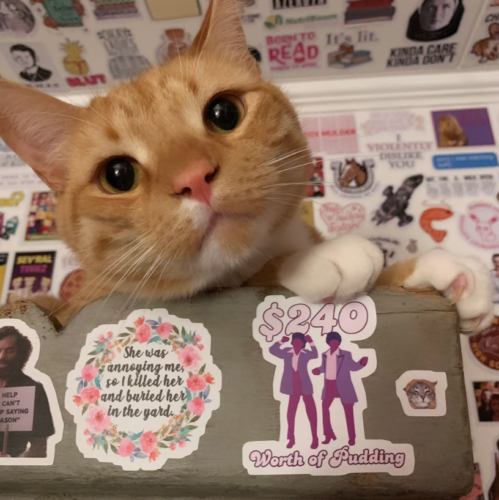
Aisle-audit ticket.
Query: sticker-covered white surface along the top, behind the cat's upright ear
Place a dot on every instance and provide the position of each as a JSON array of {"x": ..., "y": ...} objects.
[{"x": 64, "y": 45}]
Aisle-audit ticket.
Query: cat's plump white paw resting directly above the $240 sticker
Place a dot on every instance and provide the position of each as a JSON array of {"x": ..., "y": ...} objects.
[{"x": 342, "y": 268}]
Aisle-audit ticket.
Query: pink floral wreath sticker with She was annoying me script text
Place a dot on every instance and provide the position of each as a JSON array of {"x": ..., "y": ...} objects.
[{"x": 143, "y": 390}]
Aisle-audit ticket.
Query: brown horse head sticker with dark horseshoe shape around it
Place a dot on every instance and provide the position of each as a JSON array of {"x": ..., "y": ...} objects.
[{"x": 352, "y": 178}]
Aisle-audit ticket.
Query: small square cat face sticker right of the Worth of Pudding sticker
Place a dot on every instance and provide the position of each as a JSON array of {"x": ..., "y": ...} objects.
[{"x": 422, "y": 393}]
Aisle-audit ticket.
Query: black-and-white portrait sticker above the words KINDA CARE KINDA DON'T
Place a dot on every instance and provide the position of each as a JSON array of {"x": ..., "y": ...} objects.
[{"x": 435, "y": 20}]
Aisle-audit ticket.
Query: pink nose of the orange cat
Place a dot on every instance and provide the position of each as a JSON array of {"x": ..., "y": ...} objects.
[{"x": 195, "y": 181}]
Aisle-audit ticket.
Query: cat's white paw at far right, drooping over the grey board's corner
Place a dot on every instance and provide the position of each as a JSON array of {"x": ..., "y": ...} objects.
[{"x": 465, "y": 281}]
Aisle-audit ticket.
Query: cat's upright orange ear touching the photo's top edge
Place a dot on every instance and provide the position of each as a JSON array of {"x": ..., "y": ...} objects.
[{"x": 222, "y": 33}]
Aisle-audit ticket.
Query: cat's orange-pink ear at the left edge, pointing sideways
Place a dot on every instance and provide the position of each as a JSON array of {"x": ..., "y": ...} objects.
[{"x": 33, "y": 125}]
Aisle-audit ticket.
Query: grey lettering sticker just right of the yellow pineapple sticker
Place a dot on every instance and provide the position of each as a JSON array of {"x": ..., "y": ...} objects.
[{"x": 125, "y": 61}]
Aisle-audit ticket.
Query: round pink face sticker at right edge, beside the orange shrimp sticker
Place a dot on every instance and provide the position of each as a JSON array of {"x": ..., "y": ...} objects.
[{"x": 480, "y": 225}]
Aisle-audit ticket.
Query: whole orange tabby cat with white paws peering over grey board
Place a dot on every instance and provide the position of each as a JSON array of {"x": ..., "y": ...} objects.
[{"x": 190, "y": 177}]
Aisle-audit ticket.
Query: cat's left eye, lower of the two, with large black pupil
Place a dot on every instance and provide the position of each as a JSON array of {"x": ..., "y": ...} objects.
[{"x": 119, "y": 175}]
